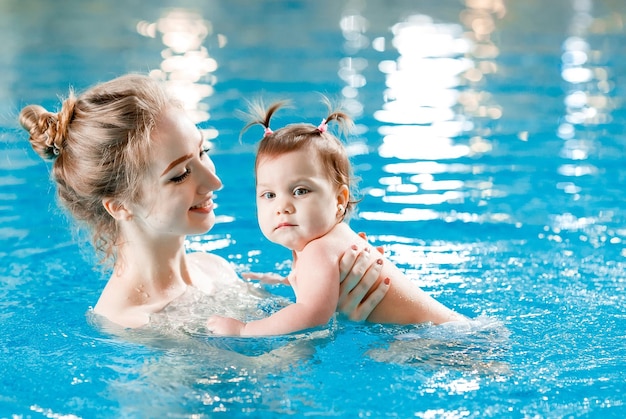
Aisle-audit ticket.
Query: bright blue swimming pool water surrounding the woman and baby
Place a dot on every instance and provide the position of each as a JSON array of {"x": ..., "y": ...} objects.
[{"x": 491, "y": 154}]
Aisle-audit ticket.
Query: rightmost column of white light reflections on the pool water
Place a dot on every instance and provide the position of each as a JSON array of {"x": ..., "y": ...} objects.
[{"x": 587, "y": 104}]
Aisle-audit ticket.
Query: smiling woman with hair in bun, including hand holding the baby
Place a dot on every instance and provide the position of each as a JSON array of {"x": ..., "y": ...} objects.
[{"x": 132, "y": 166}]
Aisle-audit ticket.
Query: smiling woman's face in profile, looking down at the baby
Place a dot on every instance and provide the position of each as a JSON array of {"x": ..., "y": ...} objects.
[{"x": 178, "y": 190}]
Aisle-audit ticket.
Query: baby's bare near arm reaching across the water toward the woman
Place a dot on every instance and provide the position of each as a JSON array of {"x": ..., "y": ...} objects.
[{"x": 317, "y": 292}]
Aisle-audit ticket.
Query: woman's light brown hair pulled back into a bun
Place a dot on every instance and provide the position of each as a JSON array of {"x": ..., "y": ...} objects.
[{"x": 99, "y": 143}]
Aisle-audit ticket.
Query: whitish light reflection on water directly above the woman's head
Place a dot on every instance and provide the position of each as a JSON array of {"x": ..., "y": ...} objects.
[{"x": 187, "y": 66}]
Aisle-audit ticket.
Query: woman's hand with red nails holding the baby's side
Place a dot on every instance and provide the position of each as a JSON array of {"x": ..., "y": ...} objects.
[{"x": 360, "y": 291}]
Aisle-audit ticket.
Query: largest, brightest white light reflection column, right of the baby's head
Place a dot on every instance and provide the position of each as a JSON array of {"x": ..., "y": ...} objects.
[{"x": 432, "y": 97}]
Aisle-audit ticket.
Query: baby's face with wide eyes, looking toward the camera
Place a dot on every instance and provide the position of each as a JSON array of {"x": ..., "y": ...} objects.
[{"x": 296, "y": 202}]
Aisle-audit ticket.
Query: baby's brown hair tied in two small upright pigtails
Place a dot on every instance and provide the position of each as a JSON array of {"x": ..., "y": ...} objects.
[{"x": 295, "y": 137}]
